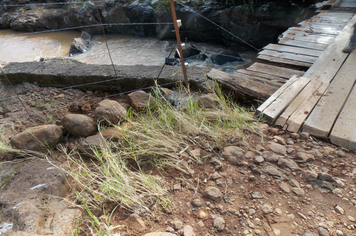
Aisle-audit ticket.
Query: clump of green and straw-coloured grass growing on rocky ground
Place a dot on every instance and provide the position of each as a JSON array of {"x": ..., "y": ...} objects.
[{"x": 131, "y": 171}]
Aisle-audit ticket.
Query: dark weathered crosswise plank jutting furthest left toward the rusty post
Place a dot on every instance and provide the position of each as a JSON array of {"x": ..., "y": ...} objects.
[{"x": 245, "y": 84}]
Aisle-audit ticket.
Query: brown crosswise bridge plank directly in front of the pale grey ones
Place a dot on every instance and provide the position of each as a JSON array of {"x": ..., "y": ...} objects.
[{"x": 275, "y": 70}]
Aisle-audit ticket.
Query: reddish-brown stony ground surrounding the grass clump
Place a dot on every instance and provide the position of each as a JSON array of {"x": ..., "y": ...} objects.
[{"x": 279, "y": 183}]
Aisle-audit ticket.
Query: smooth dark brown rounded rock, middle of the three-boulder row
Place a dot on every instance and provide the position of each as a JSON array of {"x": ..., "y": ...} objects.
[{"x": 79, "y": 125}]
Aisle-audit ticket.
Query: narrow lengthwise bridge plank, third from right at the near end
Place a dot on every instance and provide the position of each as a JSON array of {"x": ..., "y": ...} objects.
[{"x": 296, "y": 120}]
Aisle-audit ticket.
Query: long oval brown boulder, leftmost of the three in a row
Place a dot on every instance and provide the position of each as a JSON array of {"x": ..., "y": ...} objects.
[{"x": 38, "y": 137}]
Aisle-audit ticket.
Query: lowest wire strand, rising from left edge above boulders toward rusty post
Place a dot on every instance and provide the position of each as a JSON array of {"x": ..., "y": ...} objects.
[{"x": 91, "y": 100}]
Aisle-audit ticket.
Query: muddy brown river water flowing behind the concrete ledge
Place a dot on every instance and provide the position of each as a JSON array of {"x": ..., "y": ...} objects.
[{"x": 124, "y": 49}]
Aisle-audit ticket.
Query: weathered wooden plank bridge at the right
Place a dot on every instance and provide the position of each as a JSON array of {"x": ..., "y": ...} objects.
[{"x": 309, "y": 83}]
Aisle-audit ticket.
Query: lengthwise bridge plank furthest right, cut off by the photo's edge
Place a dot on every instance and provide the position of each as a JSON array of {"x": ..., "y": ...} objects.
[{"x": 344, "y": 131}]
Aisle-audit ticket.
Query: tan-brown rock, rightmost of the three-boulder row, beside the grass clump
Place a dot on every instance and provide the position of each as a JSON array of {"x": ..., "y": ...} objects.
[{"x": 110, "y": 112}]
